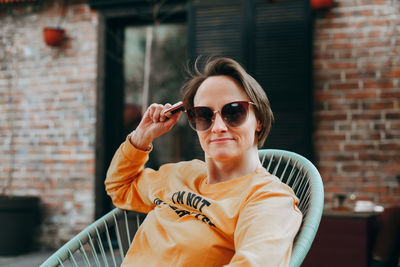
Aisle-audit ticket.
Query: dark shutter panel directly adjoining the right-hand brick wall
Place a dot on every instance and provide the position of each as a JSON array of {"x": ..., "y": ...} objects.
[{"x": 283, "y": 67}]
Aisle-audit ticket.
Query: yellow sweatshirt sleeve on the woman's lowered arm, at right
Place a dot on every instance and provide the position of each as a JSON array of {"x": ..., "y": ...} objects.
[{"x": 266, "y": 228}]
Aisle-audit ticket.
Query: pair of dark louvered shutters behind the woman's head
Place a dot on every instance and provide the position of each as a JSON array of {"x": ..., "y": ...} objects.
[{"x": 272, "y": 39}]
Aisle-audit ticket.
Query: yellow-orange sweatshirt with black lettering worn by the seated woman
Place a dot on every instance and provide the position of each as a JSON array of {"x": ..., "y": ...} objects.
[{"x": 248, "y": 221}]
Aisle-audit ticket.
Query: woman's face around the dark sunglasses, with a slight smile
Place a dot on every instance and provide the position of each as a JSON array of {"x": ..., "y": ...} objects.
[{"x": 222, "y": 142}]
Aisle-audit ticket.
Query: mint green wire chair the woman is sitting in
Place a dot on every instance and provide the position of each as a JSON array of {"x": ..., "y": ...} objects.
[{"x": 96, "y": 245}]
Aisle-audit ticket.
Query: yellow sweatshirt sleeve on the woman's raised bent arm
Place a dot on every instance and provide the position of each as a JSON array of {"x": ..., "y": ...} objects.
[{"x": 123, "y": 182}]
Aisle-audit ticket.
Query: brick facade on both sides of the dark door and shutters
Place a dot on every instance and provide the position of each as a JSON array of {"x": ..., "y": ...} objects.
[{"x": 47, "y": 107}]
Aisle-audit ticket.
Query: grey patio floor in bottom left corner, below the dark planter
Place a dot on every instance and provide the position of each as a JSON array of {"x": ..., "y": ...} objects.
[{"x": 32, "y": 259}]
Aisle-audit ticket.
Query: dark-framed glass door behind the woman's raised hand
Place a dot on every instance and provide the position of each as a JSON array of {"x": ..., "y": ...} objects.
[{"x": 122, "y": 47}]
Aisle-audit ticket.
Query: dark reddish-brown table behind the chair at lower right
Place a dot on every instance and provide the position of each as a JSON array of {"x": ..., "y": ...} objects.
[{"x": 344, "y": 238}]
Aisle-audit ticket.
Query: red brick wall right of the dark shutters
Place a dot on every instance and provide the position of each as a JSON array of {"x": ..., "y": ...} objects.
[{"x": 357, "y": 99}]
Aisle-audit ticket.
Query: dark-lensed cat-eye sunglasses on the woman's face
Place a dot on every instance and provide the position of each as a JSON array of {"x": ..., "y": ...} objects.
[{"x": 234, "y": 114}]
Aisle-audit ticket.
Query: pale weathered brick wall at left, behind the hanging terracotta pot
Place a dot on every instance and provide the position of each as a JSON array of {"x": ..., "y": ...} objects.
[{"x": 47, "y": 114}]
